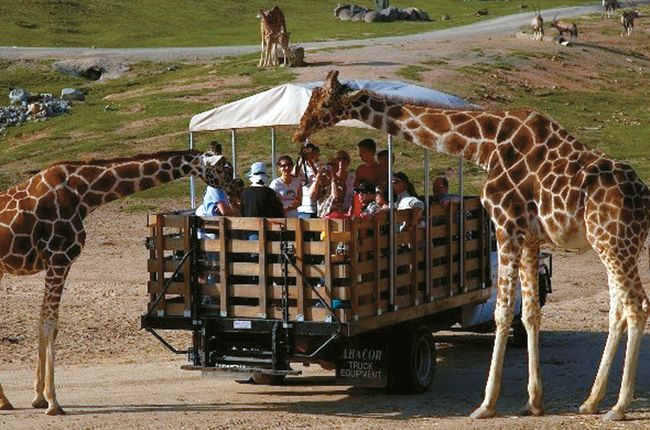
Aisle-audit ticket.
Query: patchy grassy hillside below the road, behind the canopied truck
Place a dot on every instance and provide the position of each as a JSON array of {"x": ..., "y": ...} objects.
[{"x": 597, "y": 90}]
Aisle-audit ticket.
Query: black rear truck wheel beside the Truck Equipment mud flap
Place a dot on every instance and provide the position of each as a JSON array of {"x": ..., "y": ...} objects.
[{"x": 413, "y": 362}]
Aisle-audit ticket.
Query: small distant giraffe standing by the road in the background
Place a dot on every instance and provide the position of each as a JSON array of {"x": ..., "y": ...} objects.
[{"x": 273, "y": 31}]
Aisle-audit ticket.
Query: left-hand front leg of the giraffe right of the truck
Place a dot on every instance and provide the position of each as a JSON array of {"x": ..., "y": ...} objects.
[{"x": 509, "y": 255}]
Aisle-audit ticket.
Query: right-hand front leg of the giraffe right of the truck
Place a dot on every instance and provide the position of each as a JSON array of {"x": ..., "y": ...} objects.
[{"x": 531, "y": 318}]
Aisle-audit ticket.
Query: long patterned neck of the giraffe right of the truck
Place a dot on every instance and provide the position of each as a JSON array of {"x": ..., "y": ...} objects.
[{"x": 471, "y": 134}]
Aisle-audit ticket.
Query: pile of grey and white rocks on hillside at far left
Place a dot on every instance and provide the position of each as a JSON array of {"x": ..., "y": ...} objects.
[{"x": 26, "y": 107}]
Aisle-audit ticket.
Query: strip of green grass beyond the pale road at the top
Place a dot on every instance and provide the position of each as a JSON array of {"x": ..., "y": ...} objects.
[{"x": 167, "y": 23}]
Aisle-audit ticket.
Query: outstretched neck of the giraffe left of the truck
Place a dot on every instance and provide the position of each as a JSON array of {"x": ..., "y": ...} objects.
[{"x": 100, "y": 182}]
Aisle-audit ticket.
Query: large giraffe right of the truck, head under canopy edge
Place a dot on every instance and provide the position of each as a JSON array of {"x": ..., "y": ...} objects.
[{"x": 543, "y": 187}]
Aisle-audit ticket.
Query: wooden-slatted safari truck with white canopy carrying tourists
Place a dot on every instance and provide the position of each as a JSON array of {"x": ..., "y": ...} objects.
[{"x": 361, "y": 296}]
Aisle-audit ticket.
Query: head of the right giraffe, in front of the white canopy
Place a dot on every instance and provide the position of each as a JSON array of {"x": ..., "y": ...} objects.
[{"x": 327, "y": 106}]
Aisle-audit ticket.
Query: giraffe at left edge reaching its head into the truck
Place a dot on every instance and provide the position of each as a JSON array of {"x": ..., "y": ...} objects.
[{"x": 41, "y": 228}]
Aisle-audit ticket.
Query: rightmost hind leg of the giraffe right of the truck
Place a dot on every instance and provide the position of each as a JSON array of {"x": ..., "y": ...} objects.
[{"x": 636, "y": 308}]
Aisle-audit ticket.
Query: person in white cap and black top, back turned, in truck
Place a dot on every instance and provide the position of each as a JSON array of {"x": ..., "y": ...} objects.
[{"x": 259, "y": 200}]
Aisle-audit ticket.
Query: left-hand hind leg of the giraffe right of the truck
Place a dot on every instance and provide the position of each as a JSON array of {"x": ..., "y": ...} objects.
[{"x": 616, "y": 327}]
